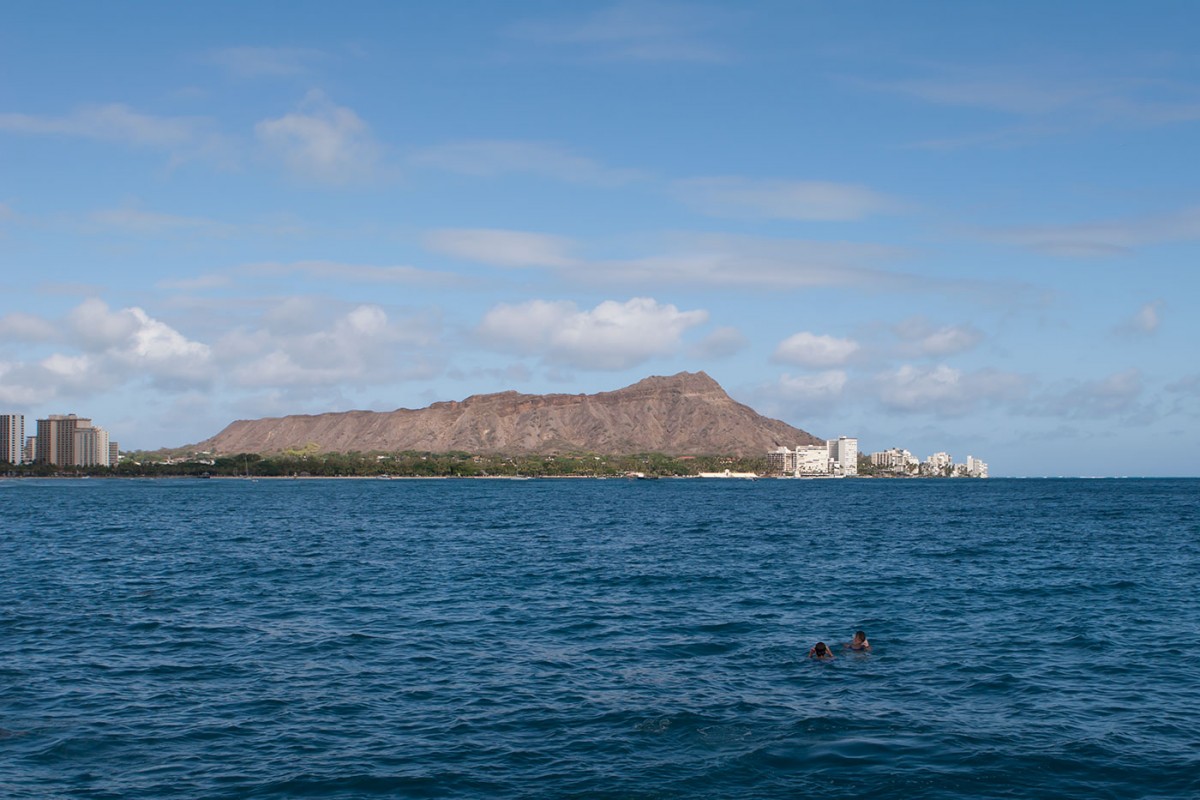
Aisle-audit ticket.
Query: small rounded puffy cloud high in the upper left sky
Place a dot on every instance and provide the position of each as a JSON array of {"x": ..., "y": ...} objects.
[{"x": 322, "y": 142}]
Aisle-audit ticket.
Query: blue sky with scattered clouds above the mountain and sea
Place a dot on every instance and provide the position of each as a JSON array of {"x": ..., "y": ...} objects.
[{"x": 941, "y": 226}]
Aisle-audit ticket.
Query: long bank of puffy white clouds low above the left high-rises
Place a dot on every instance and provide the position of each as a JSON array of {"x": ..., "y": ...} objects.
[{"x": 299, "y": 346}]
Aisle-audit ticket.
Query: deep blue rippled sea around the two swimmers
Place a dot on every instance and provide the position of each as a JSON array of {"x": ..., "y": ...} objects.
[{"x": 591, "y": 639}]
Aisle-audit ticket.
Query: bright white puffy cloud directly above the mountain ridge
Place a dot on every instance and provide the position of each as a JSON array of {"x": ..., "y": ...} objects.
[{"x": 611, "y": 336}]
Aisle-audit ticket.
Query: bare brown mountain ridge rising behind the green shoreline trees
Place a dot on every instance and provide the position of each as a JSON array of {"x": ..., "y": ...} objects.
[{"x": 683, "y": 414}]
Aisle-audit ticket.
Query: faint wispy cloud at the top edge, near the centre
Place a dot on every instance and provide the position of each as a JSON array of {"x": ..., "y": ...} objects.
[{"x": 633, "y": 32}]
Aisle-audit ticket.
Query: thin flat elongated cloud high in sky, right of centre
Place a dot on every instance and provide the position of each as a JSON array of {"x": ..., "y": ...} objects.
[{"x": 776, "y": 200}]
